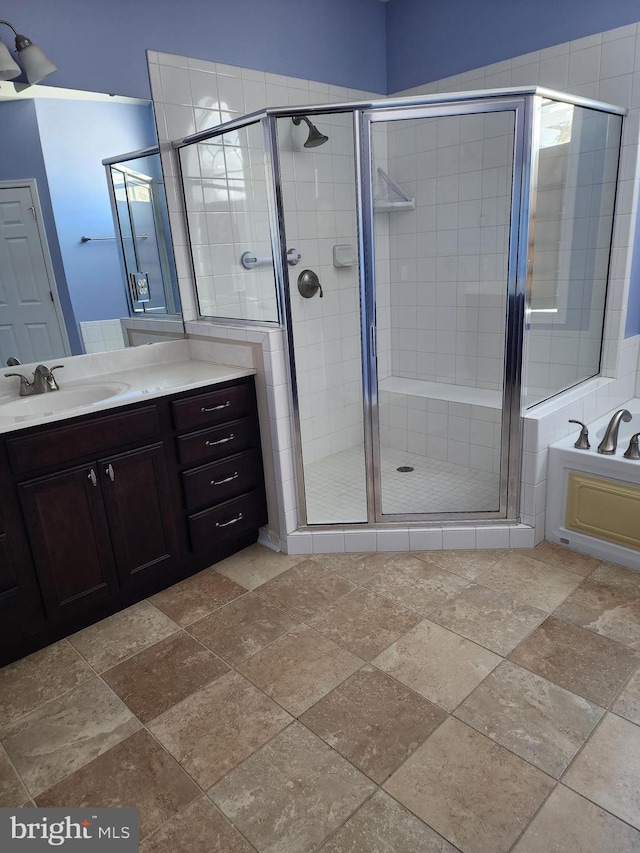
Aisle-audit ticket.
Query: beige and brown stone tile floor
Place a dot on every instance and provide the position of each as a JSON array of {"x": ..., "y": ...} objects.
[{"x": 480, "y": 701}]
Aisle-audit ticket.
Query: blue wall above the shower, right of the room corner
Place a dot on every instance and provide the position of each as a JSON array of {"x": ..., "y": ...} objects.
[{"x": 438, "y": 38}]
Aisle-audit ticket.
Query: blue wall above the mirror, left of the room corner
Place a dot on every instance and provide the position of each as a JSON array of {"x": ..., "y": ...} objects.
[{"x": 101, "y": 46}]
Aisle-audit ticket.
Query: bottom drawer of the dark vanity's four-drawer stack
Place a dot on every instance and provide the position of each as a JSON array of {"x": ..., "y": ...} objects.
[{"x": 227, "y": 521}]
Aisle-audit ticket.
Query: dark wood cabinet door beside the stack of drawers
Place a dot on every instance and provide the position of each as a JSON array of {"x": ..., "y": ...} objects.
[{"x": 140, "y": 512}]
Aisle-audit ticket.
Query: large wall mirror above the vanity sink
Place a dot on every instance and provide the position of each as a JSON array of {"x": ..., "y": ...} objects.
[{"x": 70, "y": 236}]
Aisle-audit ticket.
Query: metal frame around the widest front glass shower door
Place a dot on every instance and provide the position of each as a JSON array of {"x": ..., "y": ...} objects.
[{"x": 525, "y": 141}]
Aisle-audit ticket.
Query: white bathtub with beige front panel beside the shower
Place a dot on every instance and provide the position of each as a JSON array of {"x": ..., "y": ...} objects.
[{"x": 612, "y": 480}]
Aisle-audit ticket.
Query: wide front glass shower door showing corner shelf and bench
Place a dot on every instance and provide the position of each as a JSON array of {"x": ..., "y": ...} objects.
[{"x": 442, "y": 218}]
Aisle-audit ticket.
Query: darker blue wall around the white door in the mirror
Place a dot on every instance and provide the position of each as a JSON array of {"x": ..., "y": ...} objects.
[{"x": 22, "y": 158}]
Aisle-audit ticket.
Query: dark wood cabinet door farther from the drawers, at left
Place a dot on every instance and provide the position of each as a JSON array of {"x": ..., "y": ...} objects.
[{"x": 67, "y": 526}]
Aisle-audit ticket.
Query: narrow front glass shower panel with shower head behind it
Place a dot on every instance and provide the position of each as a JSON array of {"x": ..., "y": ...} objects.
[{"x": 318, "y": 186}]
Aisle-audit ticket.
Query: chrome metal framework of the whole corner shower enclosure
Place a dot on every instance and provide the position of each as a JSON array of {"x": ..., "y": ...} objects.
[{"x": 526, "y": 102}]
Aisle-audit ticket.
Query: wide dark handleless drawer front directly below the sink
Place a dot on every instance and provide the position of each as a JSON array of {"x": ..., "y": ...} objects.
[{"x": 73, "y": 442}]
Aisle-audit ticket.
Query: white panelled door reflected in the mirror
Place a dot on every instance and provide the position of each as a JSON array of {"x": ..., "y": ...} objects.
[{"x": 30, "y": 326}]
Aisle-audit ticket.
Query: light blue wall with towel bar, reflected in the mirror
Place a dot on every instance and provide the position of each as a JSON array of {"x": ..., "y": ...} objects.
[{"x": 75, "y": 137}]
